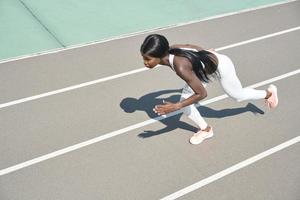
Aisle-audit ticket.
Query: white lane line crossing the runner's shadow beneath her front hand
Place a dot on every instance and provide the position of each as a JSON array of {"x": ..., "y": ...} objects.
[{"x": 127, "y": 129}]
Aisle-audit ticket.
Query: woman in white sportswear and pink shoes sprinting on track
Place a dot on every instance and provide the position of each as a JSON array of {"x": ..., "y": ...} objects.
[{"x": 196, "y": 67}]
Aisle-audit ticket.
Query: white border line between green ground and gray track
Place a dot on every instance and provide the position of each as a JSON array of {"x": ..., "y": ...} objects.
[{"x": 123, "y": 36}]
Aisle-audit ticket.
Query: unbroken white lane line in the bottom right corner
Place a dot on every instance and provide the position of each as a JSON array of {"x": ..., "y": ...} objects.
[{"x": 231, "y": 169}]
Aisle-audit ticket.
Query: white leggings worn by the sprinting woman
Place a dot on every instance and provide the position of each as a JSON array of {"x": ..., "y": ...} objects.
[{"x": 231, "y": 85}]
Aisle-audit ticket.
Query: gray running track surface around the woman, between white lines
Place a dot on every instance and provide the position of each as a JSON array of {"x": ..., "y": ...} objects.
[{"x": 137, "y": 165}]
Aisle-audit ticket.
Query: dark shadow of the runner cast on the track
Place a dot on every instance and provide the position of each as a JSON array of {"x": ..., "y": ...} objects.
[{"x": 147, "y": 102}]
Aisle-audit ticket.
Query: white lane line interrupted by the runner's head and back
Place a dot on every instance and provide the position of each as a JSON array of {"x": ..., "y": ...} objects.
[{"x": 31, "y": 98}]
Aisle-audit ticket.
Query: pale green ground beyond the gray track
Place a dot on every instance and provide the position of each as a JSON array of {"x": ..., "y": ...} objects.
[{"x": 31, "y": 26}]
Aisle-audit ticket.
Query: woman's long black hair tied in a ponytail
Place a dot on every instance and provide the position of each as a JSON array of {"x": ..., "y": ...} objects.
[{"x": 157, "y": 46}]
